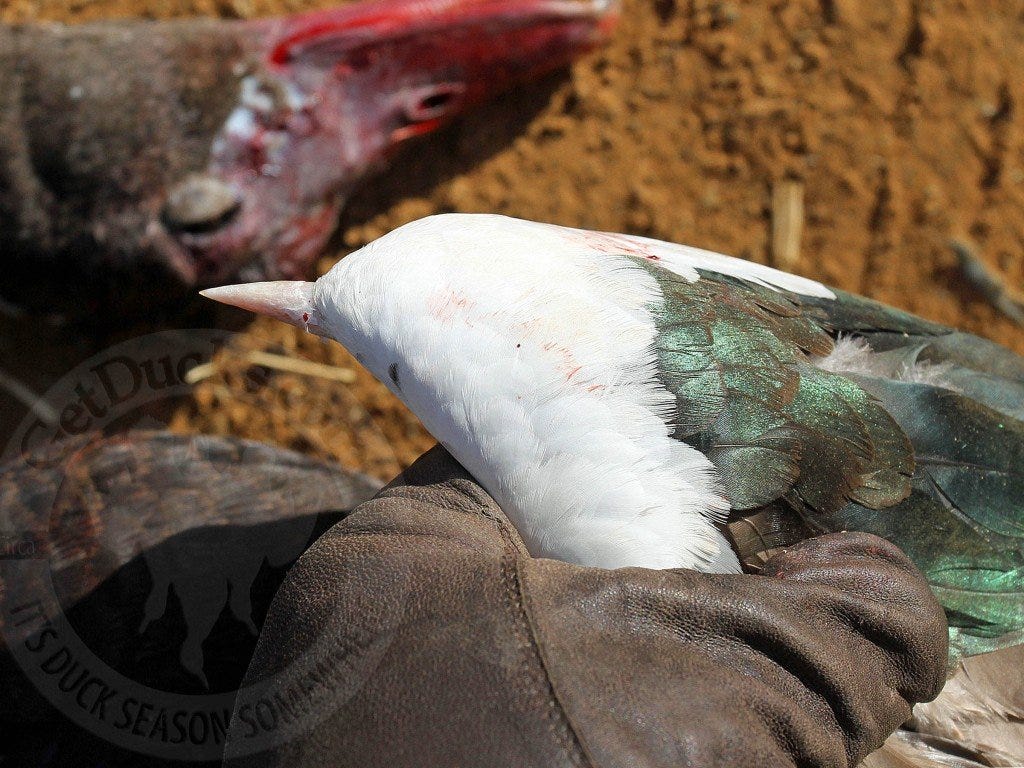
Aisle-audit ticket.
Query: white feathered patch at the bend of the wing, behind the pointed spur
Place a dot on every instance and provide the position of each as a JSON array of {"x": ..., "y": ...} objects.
[{"x": 531, "y": 358}]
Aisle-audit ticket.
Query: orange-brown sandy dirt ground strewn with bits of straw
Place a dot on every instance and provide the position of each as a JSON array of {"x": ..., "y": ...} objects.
[{"x": 899, "y": 125}]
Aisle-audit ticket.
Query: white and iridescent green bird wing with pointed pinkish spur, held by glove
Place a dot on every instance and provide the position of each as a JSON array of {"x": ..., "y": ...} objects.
[{"x": 634, "y": 403}]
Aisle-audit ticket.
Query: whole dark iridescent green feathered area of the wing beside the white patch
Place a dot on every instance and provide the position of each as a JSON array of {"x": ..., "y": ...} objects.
[{"x": 802, "y": 451}]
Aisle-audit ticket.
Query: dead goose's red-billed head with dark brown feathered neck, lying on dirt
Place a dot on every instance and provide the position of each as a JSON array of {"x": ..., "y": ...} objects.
[{"x": 183, "y": 154}]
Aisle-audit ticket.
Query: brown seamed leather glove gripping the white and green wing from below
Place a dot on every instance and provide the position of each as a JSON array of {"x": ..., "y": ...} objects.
[{"x": 419, "y": 632}]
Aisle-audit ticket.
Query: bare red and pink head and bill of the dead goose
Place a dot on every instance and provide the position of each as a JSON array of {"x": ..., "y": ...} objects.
[{"x": 336, "y": 94}]
